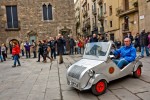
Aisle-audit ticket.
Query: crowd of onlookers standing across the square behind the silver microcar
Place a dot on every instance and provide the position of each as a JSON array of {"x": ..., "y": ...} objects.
[{"x": 50, "y": 48}]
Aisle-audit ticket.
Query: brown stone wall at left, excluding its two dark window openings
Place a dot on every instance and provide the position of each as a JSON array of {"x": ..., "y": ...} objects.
[{"x": 30, "y": 16}]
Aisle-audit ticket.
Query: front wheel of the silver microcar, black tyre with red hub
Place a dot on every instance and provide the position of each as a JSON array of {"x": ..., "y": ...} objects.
[{"x": 99, "y": 88}]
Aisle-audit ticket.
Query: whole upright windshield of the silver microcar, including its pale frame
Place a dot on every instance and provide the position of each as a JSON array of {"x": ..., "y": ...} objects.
[{"x": 97, "y": 50}]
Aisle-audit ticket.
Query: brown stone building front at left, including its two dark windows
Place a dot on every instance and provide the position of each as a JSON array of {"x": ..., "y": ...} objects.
[{"x": 35, "y": 19}]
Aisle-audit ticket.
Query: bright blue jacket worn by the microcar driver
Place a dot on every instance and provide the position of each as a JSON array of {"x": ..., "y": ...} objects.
[{"x": 126, "y": 52}]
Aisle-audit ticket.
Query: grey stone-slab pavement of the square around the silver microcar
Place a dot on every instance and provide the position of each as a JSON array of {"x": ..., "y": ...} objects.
[{"x": 47, "y": 81}]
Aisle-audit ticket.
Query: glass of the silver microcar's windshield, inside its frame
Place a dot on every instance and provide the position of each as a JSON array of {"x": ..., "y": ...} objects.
[{"x": 96, "y": 49}]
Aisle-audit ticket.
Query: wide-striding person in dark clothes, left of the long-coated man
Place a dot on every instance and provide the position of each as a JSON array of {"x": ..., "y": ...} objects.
[{"x": 46, "y": 51}]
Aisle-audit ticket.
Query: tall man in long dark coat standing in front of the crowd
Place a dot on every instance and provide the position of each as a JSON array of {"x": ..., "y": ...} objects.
[{"x": 60, "y": 47}]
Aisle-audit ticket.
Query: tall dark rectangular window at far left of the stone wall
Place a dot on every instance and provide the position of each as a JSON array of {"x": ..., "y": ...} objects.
[{"x": 12, "y": 16}]
